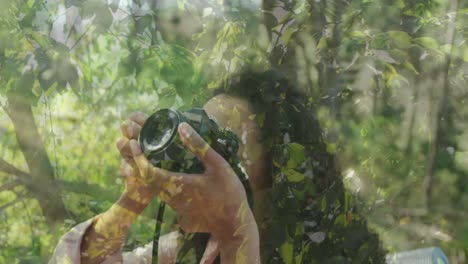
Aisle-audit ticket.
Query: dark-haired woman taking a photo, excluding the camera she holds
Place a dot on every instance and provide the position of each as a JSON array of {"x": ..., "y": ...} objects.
[{"x": 311, "y": 217}]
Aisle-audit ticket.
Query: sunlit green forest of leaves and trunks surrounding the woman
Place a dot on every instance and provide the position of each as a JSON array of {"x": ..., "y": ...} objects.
[{"x": 388, "y": 80}]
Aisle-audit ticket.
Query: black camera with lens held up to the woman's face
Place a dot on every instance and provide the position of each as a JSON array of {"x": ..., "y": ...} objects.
[{"x": 161, "y": 144}]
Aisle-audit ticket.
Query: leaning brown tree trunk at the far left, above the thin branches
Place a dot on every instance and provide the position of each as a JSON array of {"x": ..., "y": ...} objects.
[{"x": 43, "y": 187}]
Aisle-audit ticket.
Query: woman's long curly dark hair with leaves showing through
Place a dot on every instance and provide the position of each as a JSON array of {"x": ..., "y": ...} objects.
[{"x": 313, "y": 217}]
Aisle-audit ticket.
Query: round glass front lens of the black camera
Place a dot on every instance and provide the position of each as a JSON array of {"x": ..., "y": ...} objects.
[{"x": 159, "y": 131}]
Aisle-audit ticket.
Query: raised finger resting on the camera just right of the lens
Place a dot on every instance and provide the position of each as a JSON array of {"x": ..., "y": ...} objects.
[{"x": 202, "y": 150}]
